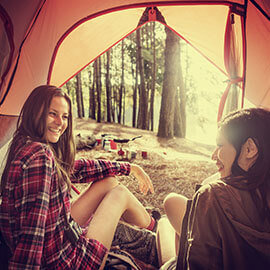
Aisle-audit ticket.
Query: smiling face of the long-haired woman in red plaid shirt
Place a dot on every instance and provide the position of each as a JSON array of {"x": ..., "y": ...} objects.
[{"x": 57, "y": 119}]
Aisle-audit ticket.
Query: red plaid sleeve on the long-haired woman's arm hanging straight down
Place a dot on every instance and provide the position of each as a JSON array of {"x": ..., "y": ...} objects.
[{"x": 32, "y": 204}]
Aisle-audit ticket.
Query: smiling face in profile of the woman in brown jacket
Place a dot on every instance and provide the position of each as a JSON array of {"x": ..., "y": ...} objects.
[{"x": 224, "y": 155}]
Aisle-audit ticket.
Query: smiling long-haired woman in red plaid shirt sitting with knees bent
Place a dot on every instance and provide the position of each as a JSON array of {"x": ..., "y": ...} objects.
[{"x": 35, "y": 190}]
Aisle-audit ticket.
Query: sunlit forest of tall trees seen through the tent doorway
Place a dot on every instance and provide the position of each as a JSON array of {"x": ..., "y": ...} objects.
[{"x": 152, "y": 80}]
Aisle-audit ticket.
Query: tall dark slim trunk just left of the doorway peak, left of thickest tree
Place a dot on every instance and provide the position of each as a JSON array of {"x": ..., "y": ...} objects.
[{"x": 143, "y": 98}]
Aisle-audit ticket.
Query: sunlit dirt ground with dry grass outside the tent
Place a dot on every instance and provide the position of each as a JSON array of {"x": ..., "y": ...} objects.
[{"x": 174, "y": 165}]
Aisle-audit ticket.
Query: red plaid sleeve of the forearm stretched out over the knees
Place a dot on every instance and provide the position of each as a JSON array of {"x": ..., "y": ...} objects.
[{"x": 93, "y": 170}]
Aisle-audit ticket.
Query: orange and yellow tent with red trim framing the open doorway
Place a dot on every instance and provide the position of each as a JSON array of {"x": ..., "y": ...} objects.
[{"x": 49, "y": 41}]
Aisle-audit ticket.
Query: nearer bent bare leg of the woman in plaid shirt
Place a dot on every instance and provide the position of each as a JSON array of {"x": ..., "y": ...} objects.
[{"x": 106, "y": 217}]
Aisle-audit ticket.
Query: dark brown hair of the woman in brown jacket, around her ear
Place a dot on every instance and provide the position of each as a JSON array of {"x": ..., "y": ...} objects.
[{"x": 238, "y": 127}]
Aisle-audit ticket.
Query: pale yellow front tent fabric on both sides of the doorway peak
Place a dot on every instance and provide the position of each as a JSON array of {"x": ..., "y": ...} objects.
[{"x": 197, "y": 32}]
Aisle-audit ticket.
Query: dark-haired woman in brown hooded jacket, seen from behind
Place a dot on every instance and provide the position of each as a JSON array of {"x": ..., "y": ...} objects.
[{"x": 229, "y": 219}]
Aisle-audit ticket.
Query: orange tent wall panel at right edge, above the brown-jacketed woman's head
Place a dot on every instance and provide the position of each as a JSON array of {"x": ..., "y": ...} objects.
[{"x": 257, "y": 85}]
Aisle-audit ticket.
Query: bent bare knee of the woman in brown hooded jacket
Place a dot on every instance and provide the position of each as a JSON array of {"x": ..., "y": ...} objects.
[{"x": 175, "y": 208}]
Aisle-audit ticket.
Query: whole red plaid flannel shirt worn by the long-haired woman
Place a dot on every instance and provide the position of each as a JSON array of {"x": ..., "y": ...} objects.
[{"x": 32, "y": 216}]
